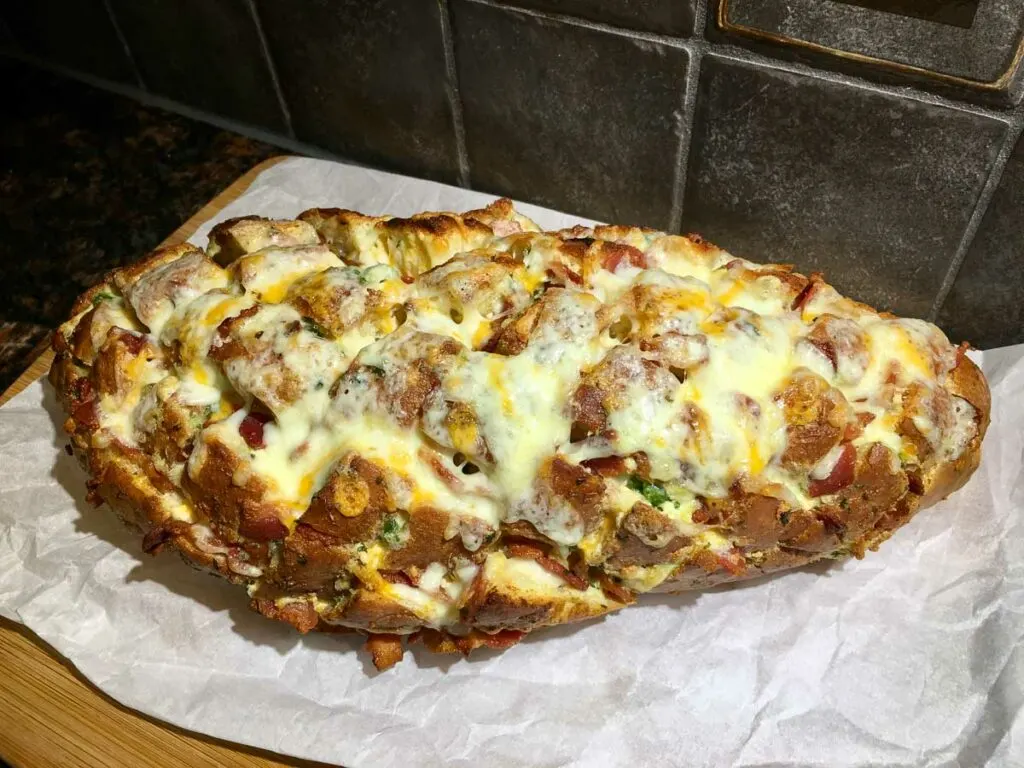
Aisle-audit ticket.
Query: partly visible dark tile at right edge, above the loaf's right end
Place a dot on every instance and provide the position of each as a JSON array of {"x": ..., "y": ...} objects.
[{"x": 987, "y": 304}]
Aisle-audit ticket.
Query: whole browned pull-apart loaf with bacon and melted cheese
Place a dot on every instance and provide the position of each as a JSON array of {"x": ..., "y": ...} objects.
[{"x": 455, "y": 430}]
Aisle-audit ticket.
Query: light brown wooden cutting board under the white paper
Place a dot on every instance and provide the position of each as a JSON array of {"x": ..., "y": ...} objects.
[{"x": 50, "y": 714}]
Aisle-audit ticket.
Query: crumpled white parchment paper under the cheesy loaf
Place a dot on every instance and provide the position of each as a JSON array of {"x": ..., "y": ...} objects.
[{"x": 911, "y": 657}]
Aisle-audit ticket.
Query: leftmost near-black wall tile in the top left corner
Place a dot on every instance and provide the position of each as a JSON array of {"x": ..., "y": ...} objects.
[{"x": 77, "y": 34}]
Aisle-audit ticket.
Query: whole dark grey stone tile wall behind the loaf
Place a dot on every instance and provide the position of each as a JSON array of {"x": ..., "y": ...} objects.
[{"x": 878, "y": 142}]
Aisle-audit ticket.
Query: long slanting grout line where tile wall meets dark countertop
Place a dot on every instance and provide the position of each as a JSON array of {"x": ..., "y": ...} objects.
[{"x": 152, "y": 100}]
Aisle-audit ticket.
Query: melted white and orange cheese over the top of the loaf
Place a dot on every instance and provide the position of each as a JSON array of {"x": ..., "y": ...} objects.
[{"x": 522, "y": 405}]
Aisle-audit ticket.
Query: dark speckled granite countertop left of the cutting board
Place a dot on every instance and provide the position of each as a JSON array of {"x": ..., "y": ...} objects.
[{"x": 91, "y": 181}]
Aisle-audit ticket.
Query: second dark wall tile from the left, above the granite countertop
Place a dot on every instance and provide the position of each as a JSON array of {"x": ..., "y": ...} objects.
[{"x": 205, "y": 54}]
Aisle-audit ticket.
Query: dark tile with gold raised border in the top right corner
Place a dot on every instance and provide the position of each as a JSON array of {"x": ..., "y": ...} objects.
[{"x": 962, "y": 48}]
